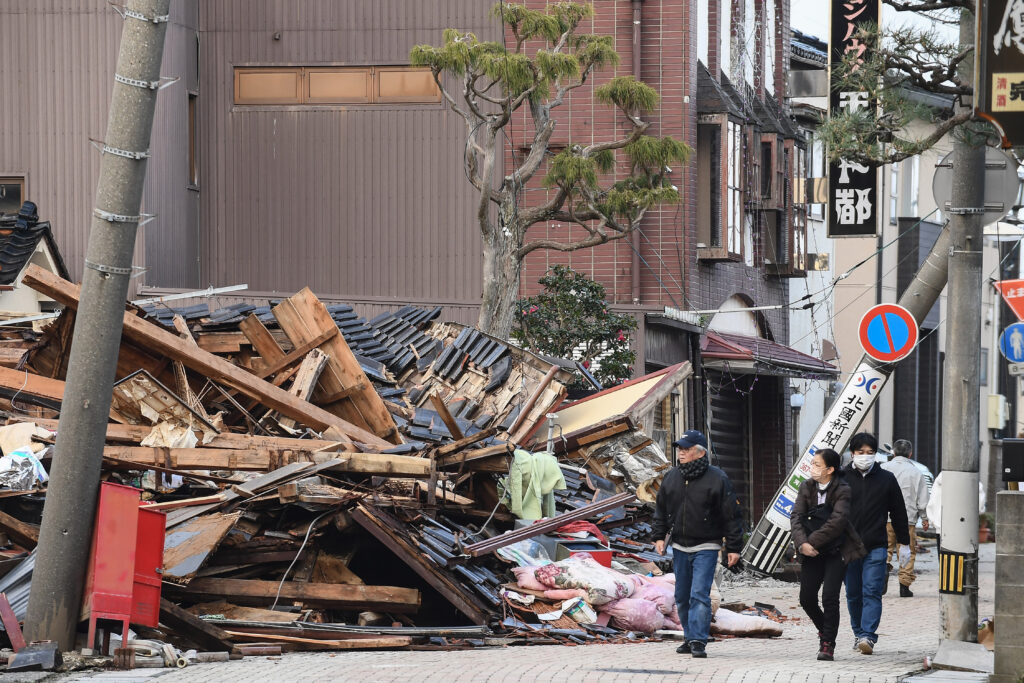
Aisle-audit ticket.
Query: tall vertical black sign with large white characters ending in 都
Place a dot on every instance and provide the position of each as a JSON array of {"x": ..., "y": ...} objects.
[{"x": 854, "y": 201}]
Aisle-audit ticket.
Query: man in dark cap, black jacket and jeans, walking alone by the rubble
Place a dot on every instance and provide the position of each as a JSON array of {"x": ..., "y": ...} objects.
[{"x": 698, "y": 506}]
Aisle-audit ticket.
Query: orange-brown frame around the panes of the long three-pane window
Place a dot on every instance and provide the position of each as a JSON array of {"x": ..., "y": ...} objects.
[{"x": 304, "y": 98}]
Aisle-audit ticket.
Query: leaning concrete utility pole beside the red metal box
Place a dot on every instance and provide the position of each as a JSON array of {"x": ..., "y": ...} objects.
[{"x": 66, "y": 537}]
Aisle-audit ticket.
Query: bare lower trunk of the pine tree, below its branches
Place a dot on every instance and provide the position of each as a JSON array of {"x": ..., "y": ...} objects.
[{"x": 502, "y": 269}]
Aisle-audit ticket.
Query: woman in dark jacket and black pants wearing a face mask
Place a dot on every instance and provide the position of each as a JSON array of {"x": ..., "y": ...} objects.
[{"x": 826, "y": 544}]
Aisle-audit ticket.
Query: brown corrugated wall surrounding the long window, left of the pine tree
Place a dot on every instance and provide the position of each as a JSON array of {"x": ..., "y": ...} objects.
[{"x": 361, "y": 201}]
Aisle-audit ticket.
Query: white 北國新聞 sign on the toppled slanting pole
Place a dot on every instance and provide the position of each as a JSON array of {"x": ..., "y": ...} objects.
[{"x": 765, "y": 548}]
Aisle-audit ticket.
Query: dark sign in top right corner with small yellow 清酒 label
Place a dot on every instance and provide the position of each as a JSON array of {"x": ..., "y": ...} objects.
[{"x": 1000, "y": 91}]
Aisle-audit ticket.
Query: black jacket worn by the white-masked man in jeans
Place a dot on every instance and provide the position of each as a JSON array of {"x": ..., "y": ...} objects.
[{"x": 877, "y": 497}]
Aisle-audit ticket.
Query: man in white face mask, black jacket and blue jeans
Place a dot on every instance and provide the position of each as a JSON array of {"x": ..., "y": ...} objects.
[{"x": 877, "y": 497}]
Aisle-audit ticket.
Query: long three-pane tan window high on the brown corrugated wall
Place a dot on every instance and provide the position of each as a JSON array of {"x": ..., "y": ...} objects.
[{"x": 334, "y": 86}]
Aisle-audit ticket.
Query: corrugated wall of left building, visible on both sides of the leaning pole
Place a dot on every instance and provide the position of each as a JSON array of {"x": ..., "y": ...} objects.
[{"x": 59, "y": 59}]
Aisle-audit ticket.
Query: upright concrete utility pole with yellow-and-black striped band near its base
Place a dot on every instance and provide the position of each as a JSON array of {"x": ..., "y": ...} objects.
[{"x": 961, "y": 405}]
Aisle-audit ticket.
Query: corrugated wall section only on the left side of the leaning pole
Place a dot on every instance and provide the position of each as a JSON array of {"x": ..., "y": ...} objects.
[{"x": 58, "y": 62}]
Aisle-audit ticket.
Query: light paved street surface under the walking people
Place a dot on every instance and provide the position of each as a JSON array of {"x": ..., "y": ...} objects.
[{"x": 910, "y": 631}]
